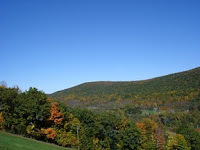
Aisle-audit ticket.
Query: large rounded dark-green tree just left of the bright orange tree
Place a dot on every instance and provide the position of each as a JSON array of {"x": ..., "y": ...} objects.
[{"x": 34, "y": 106}]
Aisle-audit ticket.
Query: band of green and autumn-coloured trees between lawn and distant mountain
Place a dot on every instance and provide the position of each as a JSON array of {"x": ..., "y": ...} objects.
[{"x": 32, "y": 114}]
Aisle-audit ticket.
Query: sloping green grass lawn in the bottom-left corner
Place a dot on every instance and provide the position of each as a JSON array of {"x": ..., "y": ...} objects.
[{"x": 14, "y": 142}]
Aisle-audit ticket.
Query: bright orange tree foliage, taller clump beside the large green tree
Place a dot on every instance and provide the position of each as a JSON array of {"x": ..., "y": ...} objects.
[{"x": 56, "y": 116}]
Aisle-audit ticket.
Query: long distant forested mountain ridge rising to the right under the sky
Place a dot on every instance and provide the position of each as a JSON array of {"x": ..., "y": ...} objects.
[{"x": 174, "y": 89}]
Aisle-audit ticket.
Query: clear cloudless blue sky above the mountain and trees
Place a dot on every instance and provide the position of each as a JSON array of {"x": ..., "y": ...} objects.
[{"x": 56, "y": 44}]
